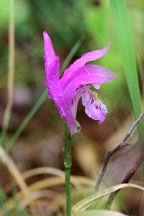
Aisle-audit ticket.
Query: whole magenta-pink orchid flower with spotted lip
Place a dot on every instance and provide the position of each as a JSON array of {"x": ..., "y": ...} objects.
[{"x": 66, "y": 91}]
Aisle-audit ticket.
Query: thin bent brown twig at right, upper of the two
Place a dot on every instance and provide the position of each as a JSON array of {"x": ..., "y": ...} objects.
[{"x": 120, "y": 146}]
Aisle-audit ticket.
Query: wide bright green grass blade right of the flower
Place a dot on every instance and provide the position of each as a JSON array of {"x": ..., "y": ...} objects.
[{"x": 125, "y": 41}]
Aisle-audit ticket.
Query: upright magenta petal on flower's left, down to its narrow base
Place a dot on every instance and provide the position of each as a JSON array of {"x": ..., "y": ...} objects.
[{"x": 55, "y": 90}]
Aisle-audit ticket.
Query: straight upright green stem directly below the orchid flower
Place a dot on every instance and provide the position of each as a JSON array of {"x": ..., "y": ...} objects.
[{"x": 67, "y": 164}]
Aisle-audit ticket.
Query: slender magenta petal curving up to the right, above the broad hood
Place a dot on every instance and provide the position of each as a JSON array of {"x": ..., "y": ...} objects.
[{"x": 87, "y": 57}]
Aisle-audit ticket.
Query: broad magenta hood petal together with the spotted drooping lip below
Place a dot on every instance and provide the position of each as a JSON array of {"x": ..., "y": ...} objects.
[{"x": 75, "y": 88}]
